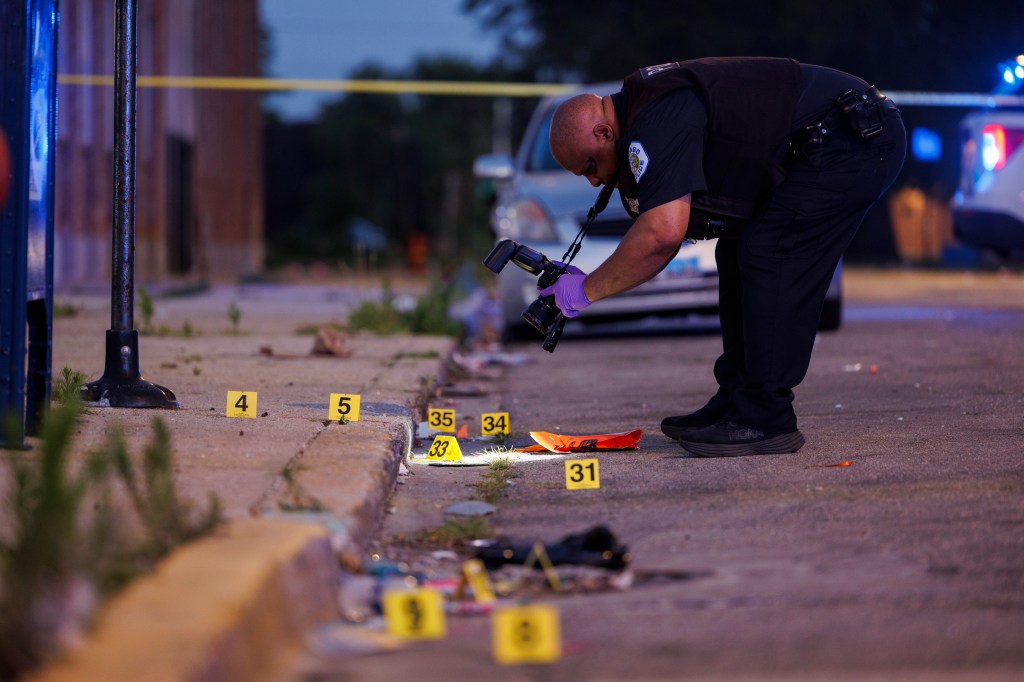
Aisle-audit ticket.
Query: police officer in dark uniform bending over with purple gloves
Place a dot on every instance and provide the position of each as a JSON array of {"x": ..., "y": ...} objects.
[{"x": 779, "y": 160}]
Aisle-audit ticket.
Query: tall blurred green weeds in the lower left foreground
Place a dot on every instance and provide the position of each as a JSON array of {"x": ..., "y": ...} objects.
[{"x": 66, "y": 545}]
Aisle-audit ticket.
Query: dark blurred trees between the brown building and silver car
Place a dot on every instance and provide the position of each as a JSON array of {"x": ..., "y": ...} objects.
[{"x": 403, "y": 163}]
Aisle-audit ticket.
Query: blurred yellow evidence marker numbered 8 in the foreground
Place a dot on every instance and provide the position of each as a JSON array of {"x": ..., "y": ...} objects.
[{"x": 529, "y": 634}]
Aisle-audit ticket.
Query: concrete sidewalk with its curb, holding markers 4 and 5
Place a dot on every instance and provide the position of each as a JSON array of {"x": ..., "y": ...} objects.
[{"x": 236, "y": 605}]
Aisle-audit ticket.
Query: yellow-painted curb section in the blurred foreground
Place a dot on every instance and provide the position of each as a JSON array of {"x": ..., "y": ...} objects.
[{"x": 231, "y": 607}]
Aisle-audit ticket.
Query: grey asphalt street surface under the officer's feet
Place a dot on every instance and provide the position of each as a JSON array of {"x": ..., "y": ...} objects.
[{"x": 889, "y": 548}]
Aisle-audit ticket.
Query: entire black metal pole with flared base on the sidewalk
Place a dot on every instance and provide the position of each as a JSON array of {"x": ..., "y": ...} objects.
[{"x": 122, "y": 385}]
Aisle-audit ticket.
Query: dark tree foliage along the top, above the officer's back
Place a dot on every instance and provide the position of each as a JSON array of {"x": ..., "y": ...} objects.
[{"x": 900, "y": 45}]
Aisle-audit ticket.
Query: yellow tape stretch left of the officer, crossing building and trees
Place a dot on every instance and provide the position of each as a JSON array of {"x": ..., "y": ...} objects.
[{"x": 364, "y": 87}]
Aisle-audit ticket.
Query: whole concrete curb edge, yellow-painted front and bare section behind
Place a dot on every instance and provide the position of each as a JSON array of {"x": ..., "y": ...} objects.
[{"x": 237, "y": 605}]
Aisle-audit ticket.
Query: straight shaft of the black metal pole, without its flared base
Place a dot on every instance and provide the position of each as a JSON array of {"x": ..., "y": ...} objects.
[{"x": 123, "y": 260}]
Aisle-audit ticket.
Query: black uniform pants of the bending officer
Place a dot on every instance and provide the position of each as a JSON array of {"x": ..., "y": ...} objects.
[{"x": 775, "y": 276}]
